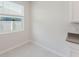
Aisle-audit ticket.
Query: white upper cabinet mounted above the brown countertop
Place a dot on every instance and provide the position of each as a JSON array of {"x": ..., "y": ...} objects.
[{"x": 75, "y": 12}]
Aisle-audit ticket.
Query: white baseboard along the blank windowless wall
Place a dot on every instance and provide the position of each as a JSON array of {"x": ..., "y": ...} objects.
[{"x": 51, "y": 50}]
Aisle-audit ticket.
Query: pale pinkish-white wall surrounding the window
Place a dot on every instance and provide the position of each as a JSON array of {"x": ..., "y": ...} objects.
[{"x": 12, "y": 39}]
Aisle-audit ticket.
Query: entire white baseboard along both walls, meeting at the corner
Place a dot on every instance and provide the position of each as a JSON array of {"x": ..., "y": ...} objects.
[{"x": 25, "y": 42}]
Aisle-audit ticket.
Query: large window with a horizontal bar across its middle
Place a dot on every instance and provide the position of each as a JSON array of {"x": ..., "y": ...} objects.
[{"x": 11, "y": 17}]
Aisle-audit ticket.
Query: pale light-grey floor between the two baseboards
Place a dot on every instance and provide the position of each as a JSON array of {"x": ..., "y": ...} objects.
[{"x": 29, "y": 50}]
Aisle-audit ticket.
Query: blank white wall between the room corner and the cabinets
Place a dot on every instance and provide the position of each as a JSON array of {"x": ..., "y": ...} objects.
[{"x": 50, "y": 25}]
